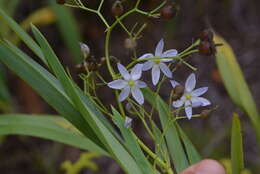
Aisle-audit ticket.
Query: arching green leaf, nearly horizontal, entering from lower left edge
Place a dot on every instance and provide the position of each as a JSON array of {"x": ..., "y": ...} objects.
[{"x": 45, "y": 127}]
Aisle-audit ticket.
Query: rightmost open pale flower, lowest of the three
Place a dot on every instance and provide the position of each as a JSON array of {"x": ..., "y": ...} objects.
[{"x": 191, "y": 98}]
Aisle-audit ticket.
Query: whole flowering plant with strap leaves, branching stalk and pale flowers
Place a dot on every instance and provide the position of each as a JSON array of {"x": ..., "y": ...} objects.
[{"x": 86, "y": 121}]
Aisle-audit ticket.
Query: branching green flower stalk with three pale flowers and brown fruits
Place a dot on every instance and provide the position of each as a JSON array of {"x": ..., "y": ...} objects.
[{"x": 128, "y": 78}]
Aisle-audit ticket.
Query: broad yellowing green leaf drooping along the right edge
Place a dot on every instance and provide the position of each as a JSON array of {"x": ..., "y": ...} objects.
[{"x": 235, "y": 83}]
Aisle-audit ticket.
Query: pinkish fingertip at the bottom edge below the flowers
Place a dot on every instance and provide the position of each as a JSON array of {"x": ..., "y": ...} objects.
[{"x": 206, "y": 166}]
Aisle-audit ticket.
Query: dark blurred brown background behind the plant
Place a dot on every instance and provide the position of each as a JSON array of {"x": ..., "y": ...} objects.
[{"x": 236, "y": 20}]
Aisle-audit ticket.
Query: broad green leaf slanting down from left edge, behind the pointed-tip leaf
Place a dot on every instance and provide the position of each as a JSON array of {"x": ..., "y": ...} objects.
[{"x": 46, "y": 85}]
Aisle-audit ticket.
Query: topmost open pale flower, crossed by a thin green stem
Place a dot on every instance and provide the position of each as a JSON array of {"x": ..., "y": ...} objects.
[{"x": 158, "y": 65}]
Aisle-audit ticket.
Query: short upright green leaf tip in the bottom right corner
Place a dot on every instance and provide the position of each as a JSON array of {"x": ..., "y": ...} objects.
[{"x": 237, "y": 157}]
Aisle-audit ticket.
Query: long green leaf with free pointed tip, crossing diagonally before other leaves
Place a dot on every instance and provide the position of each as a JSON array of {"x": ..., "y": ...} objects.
[{"x": 108, "y": 139}]
